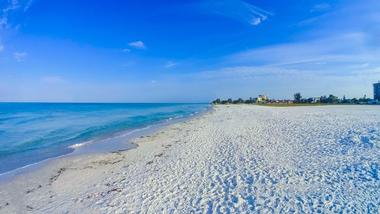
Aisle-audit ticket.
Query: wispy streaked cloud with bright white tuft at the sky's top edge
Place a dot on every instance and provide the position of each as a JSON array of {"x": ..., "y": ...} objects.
[{"x": 236, "y": 9}]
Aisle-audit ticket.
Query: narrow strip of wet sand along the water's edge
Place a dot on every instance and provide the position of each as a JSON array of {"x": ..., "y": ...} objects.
[{"x": 101, "y": 145}]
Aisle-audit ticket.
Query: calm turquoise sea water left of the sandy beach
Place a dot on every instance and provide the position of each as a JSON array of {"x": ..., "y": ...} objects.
[{"x": 32, "y": 132}]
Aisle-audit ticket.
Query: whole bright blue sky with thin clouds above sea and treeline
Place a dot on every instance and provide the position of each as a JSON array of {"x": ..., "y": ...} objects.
[{"x": 186, "y": 51}]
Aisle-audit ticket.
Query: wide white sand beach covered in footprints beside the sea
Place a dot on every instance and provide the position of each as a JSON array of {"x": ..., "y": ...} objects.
[{"x": 238, "y": 158}]
